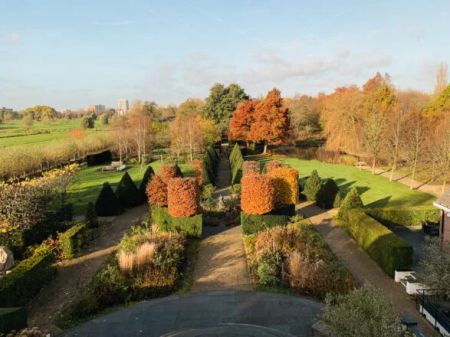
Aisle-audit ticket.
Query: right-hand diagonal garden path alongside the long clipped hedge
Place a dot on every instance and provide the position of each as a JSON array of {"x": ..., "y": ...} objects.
[{"x": 363, "y": 268}]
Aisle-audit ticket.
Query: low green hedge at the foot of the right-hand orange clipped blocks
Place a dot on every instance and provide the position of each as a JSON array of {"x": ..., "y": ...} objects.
[{"x": 252, "y": 223}]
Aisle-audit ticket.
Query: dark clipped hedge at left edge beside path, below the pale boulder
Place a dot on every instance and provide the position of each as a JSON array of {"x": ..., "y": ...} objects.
[{"x": 28, "y": 277}]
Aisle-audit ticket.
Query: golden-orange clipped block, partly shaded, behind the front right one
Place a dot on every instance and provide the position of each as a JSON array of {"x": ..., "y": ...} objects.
[{"x": 286, "y": 185}]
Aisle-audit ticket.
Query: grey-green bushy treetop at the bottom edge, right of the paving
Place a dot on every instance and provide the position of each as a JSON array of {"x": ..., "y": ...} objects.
[{"x": 362, "y": 312}]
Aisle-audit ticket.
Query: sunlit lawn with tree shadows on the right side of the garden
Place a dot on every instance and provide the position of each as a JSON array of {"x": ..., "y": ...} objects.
[{"x": 375, "y": 190}]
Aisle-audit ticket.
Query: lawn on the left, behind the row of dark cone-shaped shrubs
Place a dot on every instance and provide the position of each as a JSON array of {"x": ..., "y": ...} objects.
[{"x": 88, "y": 182}]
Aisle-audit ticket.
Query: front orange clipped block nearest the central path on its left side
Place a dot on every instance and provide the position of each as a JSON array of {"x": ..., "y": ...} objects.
[{"x": 183, "y": 197}]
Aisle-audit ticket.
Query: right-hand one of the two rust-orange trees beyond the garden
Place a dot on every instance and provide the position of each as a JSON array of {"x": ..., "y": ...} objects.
[{"x": 271, "y": 120}]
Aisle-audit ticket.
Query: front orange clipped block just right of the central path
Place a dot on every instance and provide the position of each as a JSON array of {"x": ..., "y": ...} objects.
[{"x": 257, "y": 194}]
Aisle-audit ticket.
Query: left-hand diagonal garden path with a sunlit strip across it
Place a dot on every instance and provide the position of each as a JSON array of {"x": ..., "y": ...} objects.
[{"x": 75, "y": 274}]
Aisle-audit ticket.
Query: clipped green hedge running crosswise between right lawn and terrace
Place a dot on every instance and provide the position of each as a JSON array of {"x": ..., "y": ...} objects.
[{"x": 404, "y": 216}]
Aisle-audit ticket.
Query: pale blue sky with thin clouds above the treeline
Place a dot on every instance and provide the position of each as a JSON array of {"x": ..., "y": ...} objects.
[{"x": 69, "y": 54}]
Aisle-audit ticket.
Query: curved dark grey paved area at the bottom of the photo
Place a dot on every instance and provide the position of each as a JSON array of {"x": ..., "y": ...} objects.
[{"x": 154, "y": 318}]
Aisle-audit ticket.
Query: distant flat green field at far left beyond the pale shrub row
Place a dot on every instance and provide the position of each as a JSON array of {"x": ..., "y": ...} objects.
[{"x": 12, "y": 133}]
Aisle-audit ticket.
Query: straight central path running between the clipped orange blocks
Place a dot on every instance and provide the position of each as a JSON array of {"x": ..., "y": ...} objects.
[{"x": 221, "y": 262}]
